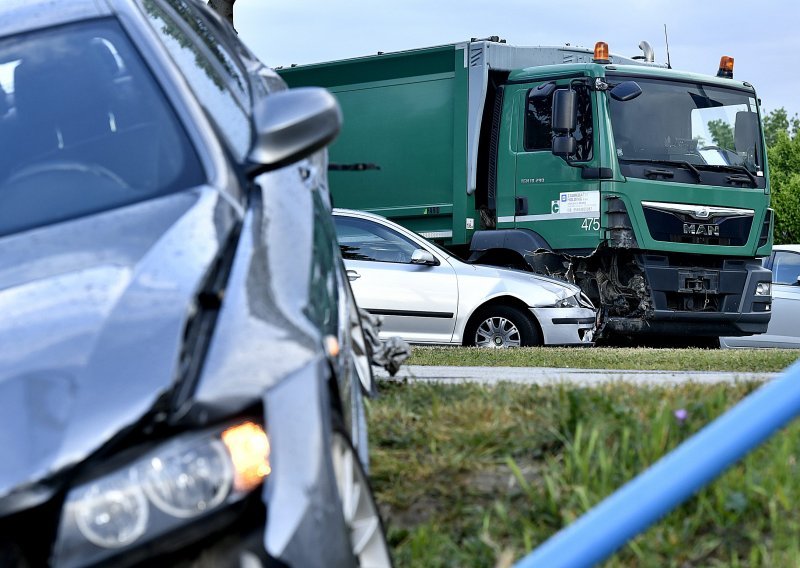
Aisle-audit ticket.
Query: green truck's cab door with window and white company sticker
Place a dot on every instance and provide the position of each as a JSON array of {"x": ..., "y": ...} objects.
[{"x": 552, "y": 197}]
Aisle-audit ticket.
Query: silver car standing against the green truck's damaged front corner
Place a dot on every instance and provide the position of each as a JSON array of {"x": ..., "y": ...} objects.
[{"x": 426, "y": 295}]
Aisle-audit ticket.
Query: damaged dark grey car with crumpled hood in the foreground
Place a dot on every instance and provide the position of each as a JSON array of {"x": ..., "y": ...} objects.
[{"x": 181, "y": 360}]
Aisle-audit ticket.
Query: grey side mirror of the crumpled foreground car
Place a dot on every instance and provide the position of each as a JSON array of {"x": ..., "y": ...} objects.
[{"x": 291, "y": 125}]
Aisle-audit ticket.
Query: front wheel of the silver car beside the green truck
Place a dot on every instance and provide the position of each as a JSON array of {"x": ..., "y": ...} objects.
[{"x": 501, "y": 327}]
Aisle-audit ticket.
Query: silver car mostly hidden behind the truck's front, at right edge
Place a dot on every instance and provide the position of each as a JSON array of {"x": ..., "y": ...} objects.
[{"x": 784, "y": 325}]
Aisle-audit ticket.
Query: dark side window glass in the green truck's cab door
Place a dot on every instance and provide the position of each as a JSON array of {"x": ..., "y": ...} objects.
[{"x": 539, "y": 123}]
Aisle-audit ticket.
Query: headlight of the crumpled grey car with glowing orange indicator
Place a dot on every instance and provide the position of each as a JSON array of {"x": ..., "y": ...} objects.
[{"x": 185, "y": 478}]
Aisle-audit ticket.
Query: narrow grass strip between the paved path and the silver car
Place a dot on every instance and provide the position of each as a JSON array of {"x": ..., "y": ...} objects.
[{"x": 742, "y": 360}]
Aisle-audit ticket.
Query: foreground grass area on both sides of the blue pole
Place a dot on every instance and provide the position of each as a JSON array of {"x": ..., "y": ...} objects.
[{"x": 470, "y": 475}]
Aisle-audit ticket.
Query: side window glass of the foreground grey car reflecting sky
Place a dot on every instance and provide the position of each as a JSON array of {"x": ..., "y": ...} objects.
[{"x": 209, "y": 86}]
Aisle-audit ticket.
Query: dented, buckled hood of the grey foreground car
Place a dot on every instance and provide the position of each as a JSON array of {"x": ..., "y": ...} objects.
[{"x": 92, "y": 314}]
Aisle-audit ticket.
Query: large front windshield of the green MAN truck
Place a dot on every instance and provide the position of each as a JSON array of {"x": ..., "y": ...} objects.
[{"x": 695, "y": 126}]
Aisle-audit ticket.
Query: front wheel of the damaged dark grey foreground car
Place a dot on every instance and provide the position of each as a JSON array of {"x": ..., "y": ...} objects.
[{"x": 361, "y": 515}]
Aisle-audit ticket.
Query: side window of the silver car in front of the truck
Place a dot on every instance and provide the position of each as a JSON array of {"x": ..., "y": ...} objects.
[{"x": 360, "y": 239}]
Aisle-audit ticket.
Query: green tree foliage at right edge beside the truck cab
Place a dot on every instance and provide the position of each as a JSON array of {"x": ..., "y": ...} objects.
[{"x": 783, "y": 149}]
